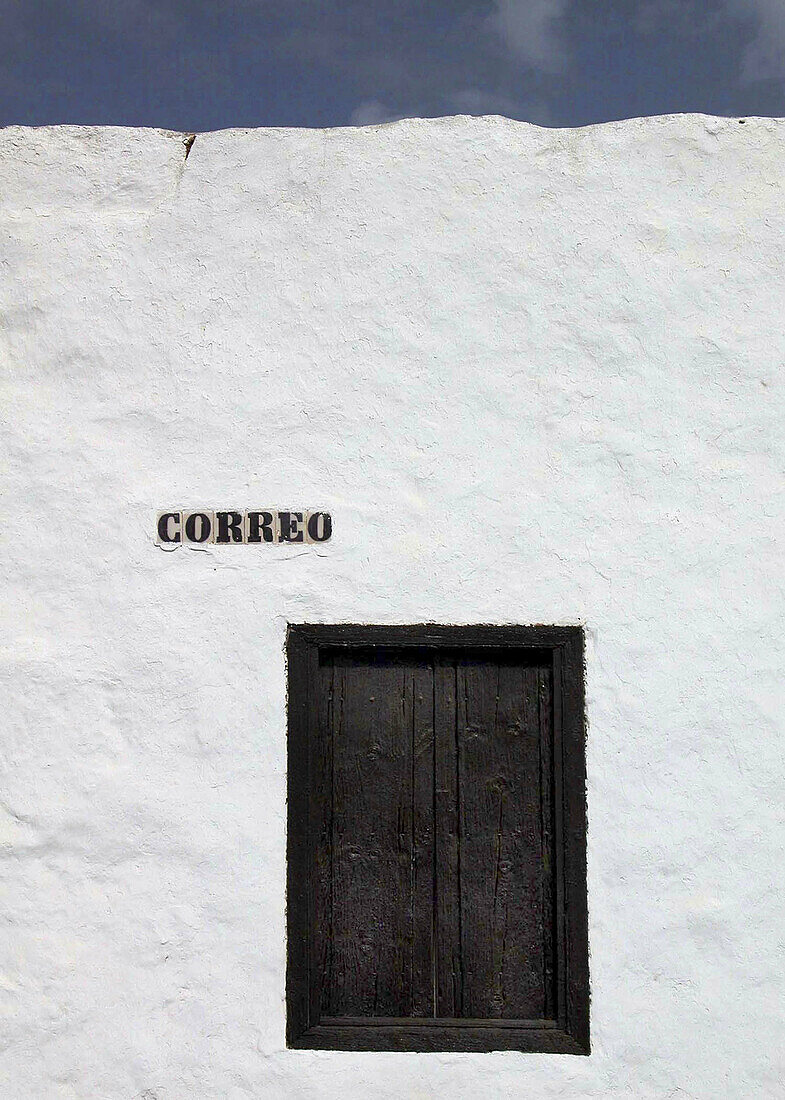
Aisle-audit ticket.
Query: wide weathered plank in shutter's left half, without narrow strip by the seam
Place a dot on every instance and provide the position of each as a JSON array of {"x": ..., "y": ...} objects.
[{"x": 373, "y": 918}]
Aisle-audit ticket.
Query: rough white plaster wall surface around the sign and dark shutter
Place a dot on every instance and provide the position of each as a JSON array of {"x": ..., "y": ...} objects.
[{"x": 536, "y": 377}]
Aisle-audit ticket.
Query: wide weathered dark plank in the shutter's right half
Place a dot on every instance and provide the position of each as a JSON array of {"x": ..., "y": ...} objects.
[{"x": 501, "y": 829}]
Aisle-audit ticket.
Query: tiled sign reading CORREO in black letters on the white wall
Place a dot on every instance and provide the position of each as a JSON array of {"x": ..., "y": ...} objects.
[{"x": 220, "y": 529}]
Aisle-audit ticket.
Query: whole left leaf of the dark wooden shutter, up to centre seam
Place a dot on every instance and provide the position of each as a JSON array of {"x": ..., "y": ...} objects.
[{"x": 374, "y": 852}]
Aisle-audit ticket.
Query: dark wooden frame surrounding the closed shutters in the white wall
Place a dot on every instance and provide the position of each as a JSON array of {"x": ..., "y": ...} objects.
[{"x": 570, "y": 1032}]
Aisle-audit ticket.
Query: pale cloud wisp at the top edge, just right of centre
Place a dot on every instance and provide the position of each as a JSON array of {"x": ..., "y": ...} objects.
[{"x": 530, "y": 30}]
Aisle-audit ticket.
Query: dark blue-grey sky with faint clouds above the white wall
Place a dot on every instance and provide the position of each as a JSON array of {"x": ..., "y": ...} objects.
[{"x": 195, "y": 65}]
